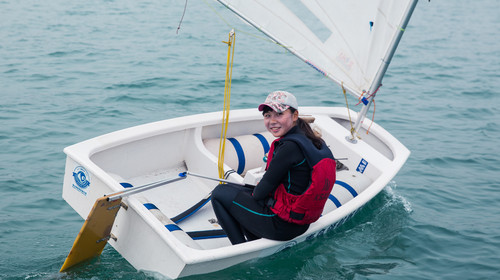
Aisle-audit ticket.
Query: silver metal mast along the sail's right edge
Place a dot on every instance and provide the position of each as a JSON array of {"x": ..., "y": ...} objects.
[{"x": 381, "y": 72}]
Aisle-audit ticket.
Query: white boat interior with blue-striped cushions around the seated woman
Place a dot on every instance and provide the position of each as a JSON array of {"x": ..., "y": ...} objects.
[{"x": 157, "y": 157}]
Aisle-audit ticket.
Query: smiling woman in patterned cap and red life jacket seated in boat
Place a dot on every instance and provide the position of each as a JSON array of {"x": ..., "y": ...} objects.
[{"x": 299, "y": 176}]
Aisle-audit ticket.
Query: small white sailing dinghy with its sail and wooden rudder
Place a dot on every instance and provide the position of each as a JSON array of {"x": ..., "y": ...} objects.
[{"x": 350, "y": 42}]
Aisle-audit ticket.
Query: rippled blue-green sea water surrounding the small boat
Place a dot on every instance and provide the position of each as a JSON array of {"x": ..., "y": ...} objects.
[{"x": 73, "y": 70}]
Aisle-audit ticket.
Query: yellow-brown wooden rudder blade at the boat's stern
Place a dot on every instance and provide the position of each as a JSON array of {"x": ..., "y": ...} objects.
[{"x": 94, "y": 234}]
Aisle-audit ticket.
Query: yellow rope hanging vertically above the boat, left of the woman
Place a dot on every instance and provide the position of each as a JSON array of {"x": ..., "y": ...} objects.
[{"x": 227, "y": 101}]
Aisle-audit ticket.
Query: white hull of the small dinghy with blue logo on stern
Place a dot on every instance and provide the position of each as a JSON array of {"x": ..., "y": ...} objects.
[{"x": 160, "y": 150}]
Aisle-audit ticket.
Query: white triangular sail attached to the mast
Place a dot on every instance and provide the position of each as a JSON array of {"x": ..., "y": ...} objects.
[{"x": 348, "y": 41}]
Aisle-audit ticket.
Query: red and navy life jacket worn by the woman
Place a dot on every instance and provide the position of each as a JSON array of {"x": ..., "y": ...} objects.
[{"x": 307, "y": 207}]
